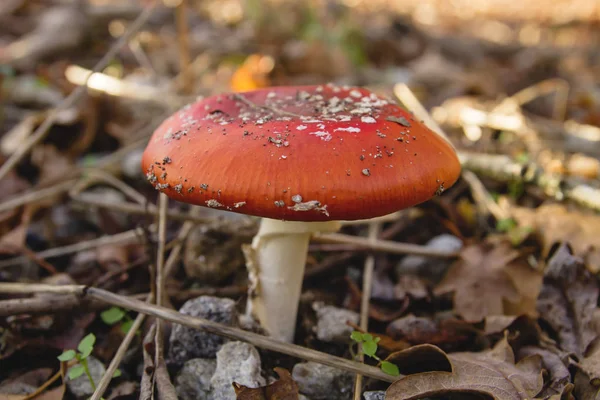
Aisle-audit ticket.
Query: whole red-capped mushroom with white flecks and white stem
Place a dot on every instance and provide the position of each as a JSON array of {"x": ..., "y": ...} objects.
[{"x": 303, "y": 158}]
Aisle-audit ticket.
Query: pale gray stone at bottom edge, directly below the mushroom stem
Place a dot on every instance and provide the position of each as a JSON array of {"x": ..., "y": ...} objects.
[{"x": 236, "y": 362}]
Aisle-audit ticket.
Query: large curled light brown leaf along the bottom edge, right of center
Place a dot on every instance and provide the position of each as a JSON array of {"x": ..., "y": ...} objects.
[{"x": 492, "y": 373}]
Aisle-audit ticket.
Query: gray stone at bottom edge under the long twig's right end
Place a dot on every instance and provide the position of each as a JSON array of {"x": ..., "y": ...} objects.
[{"x": 321, "y": 382}]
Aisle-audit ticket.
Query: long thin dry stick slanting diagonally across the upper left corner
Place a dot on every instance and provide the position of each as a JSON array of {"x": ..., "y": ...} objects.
[{"x": 41, "y": 132}]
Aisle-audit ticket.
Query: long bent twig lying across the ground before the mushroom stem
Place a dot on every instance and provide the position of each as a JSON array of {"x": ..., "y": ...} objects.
[{"x": 205, "y": 325}]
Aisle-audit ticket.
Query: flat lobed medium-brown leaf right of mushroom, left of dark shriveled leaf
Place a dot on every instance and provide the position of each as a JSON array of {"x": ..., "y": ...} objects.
[{"x": 491, "y": 278}]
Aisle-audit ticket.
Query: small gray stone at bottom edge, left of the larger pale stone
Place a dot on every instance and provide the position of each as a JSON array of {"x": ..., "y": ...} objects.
[{"x": 193, "y": 381}]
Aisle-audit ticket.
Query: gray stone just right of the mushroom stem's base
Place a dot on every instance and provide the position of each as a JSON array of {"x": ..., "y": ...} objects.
[{"x": 331, "y": 324}]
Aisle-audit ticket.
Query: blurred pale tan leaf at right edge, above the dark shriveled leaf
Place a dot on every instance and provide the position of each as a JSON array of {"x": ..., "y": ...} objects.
[{"x": 554, "y": 223}]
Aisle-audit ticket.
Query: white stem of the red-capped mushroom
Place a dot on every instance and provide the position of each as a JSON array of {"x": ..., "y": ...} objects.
[{"x": 276, "y": 262}]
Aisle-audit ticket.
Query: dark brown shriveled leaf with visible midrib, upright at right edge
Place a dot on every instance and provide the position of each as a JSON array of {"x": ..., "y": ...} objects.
[{"x": 567, "y": 301}]
